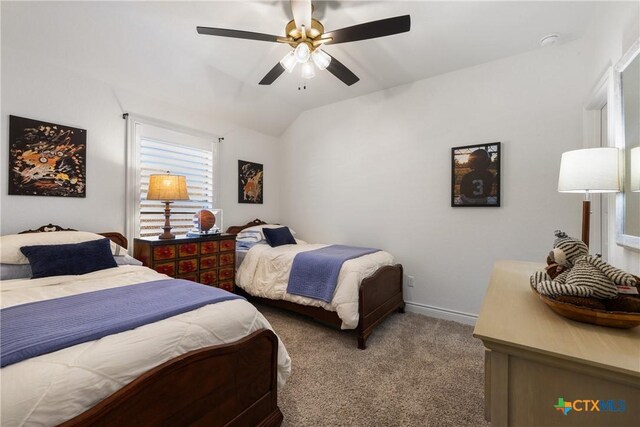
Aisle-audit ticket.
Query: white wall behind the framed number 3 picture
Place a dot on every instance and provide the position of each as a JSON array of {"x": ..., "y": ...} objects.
[{"x": 375, "y": 171}]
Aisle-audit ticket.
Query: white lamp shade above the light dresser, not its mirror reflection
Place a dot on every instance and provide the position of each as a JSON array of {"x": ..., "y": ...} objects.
[{"x": 595, "y": 170}]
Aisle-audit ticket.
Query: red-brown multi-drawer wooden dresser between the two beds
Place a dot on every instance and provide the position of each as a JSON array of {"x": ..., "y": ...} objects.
[{"x": 209, "y": 260}]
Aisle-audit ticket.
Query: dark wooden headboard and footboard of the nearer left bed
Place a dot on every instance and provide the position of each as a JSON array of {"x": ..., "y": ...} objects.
[{"x": 231, "y": 385}]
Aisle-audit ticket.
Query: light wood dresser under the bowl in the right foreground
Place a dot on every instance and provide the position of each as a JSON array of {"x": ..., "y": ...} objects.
[{"x": 535, "y": 357}]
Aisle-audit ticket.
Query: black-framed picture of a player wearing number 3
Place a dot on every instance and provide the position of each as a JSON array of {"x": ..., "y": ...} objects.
[{"x": 475, "y": 175}]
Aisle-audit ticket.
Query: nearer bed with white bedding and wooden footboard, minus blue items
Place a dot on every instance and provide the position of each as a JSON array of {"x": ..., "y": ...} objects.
[{"x": 218, "y": 365}]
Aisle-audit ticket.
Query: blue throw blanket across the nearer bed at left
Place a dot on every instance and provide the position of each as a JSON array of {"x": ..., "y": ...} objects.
[{"x": 32, "y": 329}]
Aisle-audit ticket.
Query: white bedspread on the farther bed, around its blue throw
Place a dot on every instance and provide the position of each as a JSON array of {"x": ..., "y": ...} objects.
[{"x": 265, "y": 273}]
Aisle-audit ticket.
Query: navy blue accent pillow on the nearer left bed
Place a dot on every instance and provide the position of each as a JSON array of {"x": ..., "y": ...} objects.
[{"x": 69, "y": 259}]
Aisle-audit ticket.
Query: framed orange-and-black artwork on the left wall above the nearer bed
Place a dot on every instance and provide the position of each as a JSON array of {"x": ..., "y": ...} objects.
[{"x": 46, "y": 159}]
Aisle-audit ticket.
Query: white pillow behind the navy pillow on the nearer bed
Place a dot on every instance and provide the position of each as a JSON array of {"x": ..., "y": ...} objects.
[{"x": 10, "y": 244}]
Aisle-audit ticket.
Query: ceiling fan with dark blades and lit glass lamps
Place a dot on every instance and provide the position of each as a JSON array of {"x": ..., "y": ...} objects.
[{"x": 307, "y": 37}]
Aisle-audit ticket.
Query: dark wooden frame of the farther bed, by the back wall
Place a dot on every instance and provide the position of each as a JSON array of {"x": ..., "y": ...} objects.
[{"x": 379, "y": 296}]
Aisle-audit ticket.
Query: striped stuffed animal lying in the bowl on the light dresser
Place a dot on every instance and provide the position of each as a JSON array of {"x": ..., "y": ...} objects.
[{"x": 583, "y": 275}]
